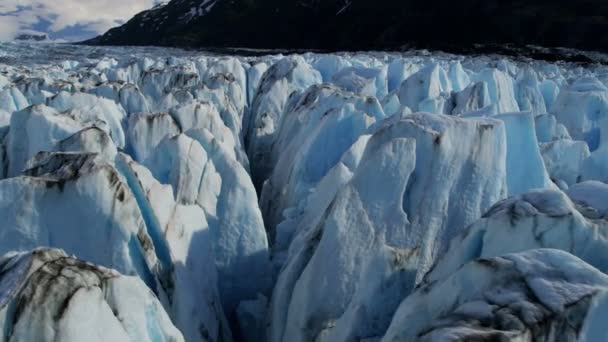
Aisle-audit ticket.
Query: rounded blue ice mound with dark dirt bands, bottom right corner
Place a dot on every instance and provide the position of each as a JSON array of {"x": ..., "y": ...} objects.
[{"x": 542, "y": 294}]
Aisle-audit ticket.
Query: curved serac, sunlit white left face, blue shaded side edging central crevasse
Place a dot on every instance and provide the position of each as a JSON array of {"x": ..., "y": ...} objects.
[{"x": 203, "y": 173}]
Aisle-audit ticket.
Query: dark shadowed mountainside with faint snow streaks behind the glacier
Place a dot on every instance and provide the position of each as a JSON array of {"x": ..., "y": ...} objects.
[{"x": 363, "y": 24}]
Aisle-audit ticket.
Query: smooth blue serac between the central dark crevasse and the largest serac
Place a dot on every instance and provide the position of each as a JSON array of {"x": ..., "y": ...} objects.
[{"x": 316, "y": 129}]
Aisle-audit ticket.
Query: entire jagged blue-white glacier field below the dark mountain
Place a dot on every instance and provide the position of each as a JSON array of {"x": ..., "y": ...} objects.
[{"x": 155, "y": 194}]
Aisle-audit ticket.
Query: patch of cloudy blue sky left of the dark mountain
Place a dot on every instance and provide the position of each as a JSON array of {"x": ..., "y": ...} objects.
[{"x": 70, "y": 20}]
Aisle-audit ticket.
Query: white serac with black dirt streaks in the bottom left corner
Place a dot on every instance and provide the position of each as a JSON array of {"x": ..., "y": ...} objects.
[{"x": 46, "y": 295}]
